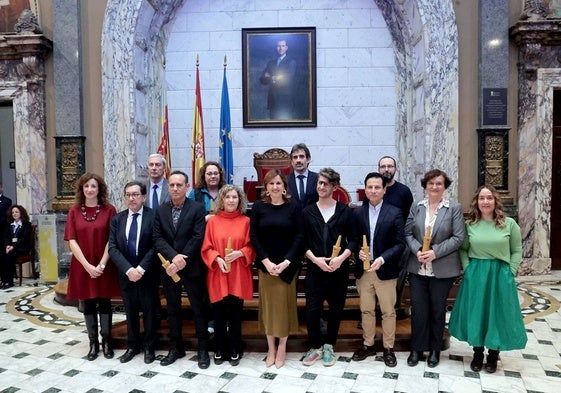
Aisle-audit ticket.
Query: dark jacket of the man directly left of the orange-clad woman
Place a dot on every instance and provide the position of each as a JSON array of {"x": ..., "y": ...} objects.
[{"x": 186, "y": 239}]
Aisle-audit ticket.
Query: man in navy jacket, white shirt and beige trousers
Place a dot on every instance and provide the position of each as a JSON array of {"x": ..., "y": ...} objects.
[{"x": 382, "y": 224}]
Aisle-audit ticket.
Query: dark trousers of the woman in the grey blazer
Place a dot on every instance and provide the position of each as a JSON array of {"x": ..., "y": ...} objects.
[{"x": 428, "y": 311}]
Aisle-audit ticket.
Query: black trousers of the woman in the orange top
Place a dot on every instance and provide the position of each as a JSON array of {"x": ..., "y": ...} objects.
[{"x": 228, "y": 325}]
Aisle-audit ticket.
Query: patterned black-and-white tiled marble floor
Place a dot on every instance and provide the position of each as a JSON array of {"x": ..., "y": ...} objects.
[{"x": 42, "y": 348}]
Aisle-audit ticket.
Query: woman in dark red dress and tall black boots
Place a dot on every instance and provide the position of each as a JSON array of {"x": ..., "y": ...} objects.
[{"x": 92, "y": 277}]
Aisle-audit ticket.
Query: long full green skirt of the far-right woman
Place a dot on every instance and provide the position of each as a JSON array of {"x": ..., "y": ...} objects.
[{"x": 487, "y": 312}]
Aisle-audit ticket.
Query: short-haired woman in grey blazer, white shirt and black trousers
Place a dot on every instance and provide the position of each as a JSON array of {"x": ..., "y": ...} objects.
[{"x": 434, "y": 232}]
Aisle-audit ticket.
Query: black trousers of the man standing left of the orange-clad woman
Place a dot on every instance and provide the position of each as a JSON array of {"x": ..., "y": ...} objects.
[{"x": 196, "y": 291}]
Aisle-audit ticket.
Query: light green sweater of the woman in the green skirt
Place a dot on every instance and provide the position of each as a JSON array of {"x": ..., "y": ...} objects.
[{"x": 486, "y": 241}]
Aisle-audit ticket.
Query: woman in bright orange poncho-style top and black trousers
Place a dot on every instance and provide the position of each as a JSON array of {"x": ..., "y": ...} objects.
[{"x": 228, "y": 254}]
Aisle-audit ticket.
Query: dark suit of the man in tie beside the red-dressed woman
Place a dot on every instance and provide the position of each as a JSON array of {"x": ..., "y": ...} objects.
[{"x": 137, "y": 296}]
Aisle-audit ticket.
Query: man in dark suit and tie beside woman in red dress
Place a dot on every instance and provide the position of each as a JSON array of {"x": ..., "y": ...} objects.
[{"x": 131, "y": 249}]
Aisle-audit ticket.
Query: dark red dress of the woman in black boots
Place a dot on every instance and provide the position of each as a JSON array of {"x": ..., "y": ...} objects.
[{"x": 91, "y": 236}]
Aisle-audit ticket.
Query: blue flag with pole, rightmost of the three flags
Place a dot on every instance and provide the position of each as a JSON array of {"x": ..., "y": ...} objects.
[{"x": 225, "y": 141}]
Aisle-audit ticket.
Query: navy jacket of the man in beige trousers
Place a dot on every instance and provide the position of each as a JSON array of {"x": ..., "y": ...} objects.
[{"x": 389, "y": 239}]
